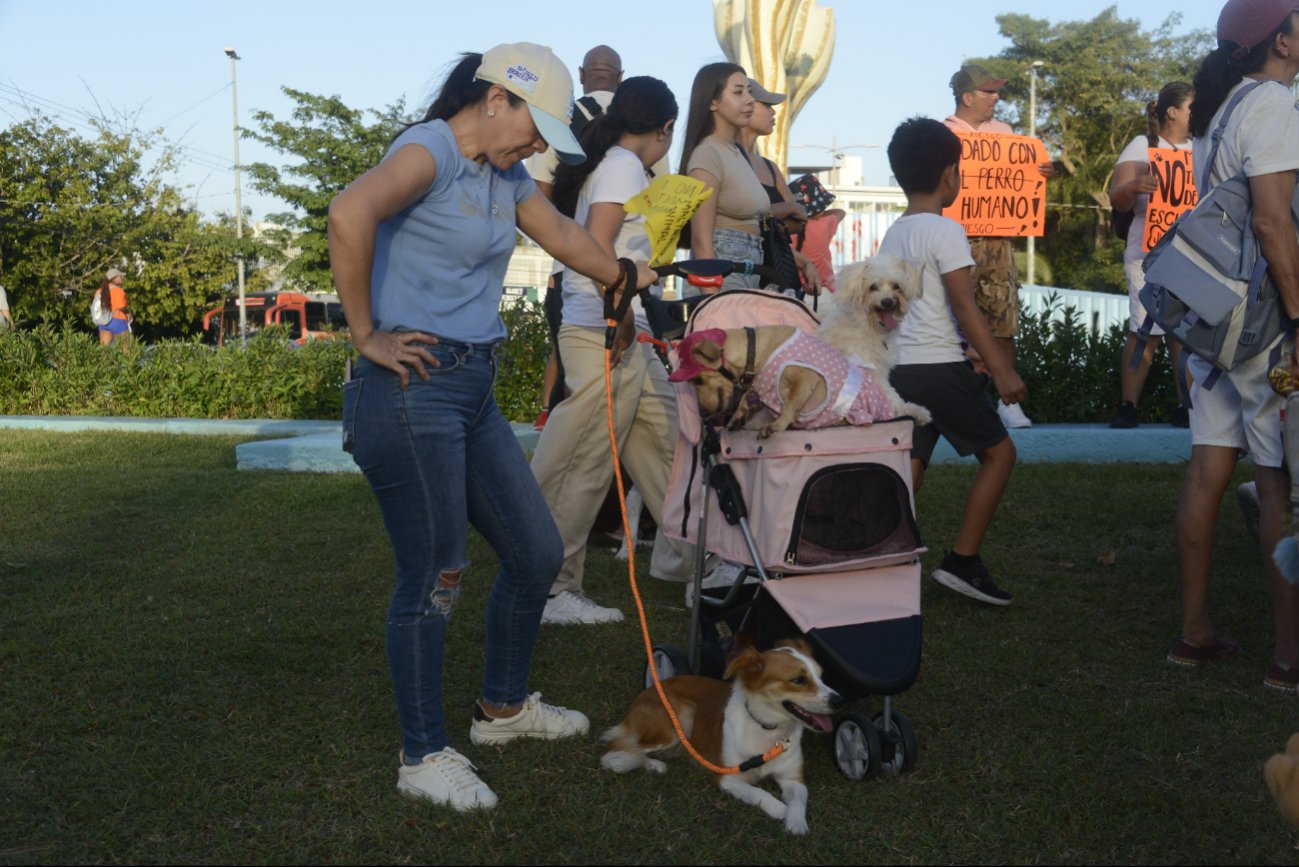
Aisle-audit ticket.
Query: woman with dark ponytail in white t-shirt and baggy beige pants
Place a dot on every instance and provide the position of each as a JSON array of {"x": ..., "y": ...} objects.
[{"x": 574, "y": 463}]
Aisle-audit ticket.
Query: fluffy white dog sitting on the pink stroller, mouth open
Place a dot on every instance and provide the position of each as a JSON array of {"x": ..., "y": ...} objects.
[{"x": 868, "y": 307}]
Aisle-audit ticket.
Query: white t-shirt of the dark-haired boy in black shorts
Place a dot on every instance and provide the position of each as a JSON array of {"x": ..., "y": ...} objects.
[{"x": 929, "y": 333}]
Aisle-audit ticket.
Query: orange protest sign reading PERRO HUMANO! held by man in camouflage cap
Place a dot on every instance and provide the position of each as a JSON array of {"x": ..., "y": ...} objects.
[{"x": 1003, "y": 193}]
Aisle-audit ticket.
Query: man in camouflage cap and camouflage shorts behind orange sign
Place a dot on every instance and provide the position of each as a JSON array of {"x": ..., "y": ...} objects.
[{"x": 996, "y": 278}]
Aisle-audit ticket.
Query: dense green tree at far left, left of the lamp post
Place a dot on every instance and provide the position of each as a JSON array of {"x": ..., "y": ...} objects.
[{"x": 72, "y": 207}]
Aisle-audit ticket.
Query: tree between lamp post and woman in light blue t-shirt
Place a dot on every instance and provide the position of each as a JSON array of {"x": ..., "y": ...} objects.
[{"x": 332, "y": 146}]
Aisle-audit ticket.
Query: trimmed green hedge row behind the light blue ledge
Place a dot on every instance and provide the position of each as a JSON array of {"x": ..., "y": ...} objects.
[{"x": 1072, "y": 375}]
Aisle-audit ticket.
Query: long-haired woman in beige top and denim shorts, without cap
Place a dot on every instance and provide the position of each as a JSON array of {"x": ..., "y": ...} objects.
[{"x": 727, "y": 224}]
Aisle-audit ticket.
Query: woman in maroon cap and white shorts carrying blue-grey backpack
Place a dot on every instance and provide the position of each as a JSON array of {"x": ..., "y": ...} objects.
[{"x": 1258, "y": 42}]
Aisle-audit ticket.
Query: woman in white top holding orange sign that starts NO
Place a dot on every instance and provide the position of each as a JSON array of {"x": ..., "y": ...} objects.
[{"x": 1170, "y": 119}]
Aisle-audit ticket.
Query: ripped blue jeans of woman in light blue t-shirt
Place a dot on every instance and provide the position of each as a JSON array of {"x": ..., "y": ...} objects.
[{"x": 440, "y": 458}]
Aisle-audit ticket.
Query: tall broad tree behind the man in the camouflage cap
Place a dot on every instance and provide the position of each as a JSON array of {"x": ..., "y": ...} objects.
[{"x": 1093, "y": 86}]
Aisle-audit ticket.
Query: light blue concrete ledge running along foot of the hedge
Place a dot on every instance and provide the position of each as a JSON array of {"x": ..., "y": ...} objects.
[{"x": 318, "y": 446}]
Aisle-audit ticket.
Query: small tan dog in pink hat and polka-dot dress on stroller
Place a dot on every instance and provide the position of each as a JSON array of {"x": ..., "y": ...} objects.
[{"x": 803, "y": 382}]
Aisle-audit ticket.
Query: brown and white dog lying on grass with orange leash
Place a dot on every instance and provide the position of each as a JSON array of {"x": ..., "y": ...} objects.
[{"x": 774, "y": 697}]
